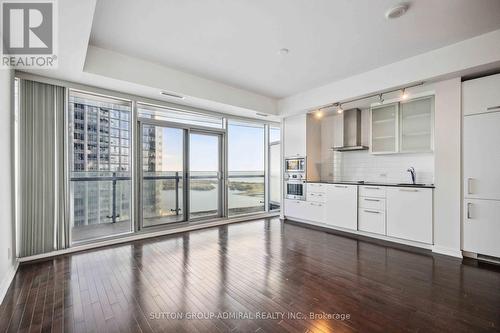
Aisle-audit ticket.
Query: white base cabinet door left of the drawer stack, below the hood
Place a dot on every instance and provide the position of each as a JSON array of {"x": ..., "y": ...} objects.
[{"x": 342, "y": 206}]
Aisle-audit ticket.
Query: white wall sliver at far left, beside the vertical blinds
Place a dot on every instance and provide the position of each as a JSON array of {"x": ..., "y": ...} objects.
[{"x": 7, "y": 238}]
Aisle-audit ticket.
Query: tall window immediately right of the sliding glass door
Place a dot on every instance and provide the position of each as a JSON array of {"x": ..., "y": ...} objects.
[{"x": 245, "y": 167}]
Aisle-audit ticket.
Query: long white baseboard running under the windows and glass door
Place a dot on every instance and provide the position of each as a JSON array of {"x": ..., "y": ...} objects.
[{"x": 152, "y": 234}]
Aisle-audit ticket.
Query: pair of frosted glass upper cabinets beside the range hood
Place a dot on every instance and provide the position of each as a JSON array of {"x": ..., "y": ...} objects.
[{"x": 405, "y": 127}]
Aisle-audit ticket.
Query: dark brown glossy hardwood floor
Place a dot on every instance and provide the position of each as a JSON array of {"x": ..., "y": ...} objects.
[{"x": 259, "y": 268}]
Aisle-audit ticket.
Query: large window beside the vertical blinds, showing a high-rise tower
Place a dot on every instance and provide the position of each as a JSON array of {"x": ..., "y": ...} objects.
[{"x": 100, "y": 178}]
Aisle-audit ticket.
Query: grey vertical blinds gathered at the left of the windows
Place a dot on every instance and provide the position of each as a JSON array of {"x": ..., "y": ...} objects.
[{"x": 43, "y": 210}]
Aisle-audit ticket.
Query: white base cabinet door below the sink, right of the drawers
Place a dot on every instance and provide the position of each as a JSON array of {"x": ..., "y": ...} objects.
[{"x": 409, "y": 213}]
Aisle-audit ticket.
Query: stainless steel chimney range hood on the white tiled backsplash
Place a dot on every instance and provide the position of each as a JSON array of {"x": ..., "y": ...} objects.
[{"x": 351, "y": 132}]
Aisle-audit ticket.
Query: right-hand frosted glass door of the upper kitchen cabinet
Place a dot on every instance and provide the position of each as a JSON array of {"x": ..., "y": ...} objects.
[{"x": 416, "y": 125}]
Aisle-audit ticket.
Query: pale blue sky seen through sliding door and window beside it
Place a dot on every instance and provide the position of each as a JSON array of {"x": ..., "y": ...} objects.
[{"x": 245, "y": 149}]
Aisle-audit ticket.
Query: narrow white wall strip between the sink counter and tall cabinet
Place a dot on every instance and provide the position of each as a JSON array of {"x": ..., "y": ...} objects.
[{"x": 447, "y": 148}]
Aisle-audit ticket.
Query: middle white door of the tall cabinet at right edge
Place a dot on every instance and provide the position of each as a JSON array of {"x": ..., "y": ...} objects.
[{"x": 481, "y": 160}]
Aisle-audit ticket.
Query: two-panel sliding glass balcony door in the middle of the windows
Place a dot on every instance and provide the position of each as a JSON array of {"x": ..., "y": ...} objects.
[{"x": 168, "y": 153}]
